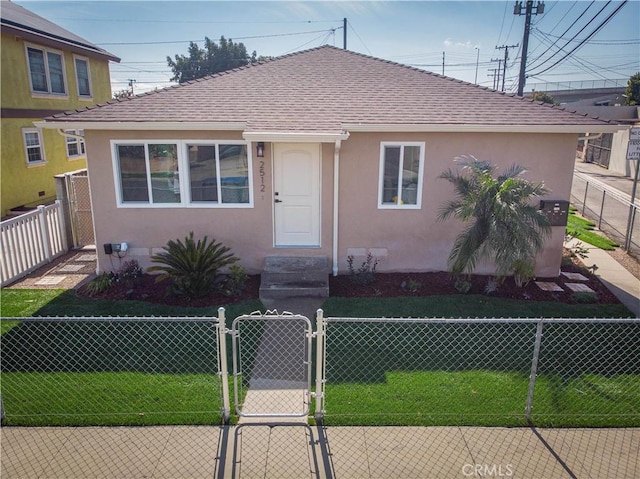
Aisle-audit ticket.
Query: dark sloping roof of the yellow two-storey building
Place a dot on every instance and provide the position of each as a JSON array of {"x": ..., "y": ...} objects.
[{"x": 22, "y": 22}]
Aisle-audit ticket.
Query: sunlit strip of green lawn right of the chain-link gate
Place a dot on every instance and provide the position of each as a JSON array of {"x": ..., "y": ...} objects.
[{"x": 484, "y": 398}]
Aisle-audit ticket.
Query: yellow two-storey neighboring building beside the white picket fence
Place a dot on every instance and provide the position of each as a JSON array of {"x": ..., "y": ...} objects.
[{"x": 45, "y": 70}]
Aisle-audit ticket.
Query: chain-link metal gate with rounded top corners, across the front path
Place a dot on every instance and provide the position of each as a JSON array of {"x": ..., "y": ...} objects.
[{"x": 272, "y": 365}]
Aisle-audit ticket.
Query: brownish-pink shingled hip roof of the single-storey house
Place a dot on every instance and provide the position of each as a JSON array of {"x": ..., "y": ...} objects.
[{"x": 330, "y": 91}]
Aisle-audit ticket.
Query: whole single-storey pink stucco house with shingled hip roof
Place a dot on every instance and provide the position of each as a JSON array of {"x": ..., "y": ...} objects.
[{"x": 324, "y": 152}]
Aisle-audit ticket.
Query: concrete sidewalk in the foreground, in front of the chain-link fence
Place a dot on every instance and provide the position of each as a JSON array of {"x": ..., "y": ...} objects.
[{"x": 299, "y": 451}]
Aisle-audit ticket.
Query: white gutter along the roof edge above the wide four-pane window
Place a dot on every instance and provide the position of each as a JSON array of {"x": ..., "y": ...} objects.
[{"x": 139, "y": 125}]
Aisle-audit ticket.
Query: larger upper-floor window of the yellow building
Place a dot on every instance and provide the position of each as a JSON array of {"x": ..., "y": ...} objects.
[{"x": 46, "y": 71}]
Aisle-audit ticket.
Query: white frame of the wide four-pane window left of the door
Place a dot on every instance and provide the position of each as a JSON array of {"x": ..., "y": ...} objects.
[{"x": 184, "y": 178}]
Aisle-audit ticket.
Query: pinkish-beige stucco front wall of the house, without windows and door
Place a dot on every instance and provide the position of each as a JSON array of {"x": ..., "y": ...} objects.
[{"x": 410, "y": 240}]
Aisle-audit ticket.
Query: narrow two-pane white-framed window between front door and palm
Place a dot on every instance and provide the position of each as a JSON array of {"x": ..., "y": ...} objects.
[{"x": 401, "y": 167}]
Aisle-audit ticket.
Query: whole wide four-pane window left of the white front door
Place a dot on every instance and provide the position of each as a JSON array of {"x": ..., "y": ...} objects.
[{"x": 182, "y": 173}]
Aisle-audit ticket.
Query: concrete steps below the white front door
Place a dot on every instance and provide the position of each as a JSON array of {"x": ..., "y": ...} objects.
[{"x": 295, "y": 276}]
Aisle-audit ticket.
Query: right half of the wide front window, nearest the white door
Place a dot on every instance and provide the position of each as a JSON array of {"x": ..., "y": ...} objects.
[{"x": 218, "y": 173}]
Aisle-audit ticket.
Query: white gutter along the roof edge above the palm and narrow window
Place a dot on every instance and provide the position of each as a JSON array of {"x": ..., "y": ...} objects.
[{"x": 472, "y": 128}]
